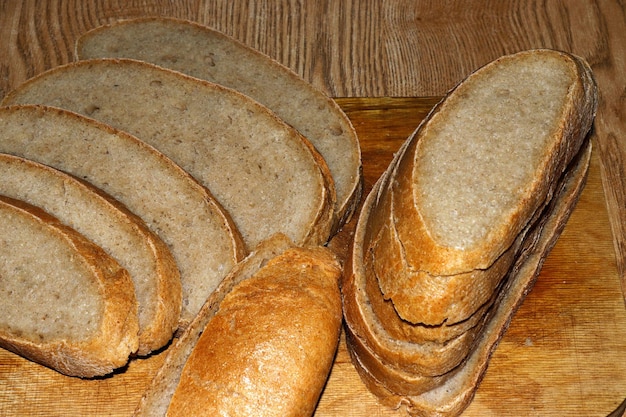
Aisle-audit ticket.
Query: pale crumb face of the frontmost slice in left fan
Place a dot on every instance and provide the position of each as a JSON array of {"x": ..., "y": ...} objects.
[{"x": 43, "y": 287}]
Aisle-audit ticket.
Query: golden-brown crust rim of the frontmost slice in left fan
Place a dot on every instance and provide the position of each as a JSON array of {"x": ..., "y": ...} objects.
[{"x": 116, "y": 335}]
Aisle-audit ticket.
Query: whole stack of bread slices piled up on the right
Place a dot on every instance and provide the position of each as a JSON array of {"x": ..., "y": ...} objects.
[{"x": 454, "y": 233}]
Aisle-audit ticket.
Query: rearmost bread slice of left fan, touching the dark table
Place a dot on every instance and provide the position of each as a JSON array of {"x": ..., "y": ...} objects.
[{"x": 208, "y": 54}]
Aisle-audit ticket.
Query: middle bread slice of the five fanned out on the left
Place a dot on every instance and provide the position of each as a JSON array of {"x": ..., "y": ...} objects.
[{"x": 200, "y": 235}]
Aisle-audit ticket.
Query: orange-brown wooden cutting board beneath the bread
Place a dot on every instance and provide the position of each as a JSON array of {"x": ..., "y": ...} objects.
[{"x": 564, "y": 352}]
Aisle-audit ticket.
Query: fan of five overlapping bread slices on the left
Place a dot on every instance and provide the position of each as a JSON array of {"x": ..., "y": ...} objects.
[{"x": 130, "y": 191}]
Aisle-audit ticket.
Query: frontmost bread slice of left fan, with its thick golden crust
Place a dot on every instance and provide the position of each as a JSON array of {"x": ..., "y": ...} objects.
[{"x": 65, "y": 303}]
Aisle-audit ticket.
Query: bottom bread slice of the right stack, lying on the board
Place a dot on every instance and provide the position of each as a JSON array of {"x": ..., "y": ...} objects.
[{"x": 455, "y": 394}]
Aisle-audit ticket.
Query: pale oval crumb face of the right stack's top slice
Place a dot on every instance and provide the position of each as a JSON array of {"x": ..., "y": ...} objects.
[{"x": 470, "y": 180}]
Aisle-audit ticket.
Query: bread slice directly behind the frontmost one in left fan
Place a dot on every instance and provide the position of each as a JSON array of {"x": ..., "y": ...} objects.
[{"x": 108, "y": 224}]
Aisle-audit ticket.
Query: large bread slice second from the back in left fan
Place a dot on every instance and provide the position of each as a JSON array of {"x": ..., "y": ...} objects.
[{"x": 264, "y": 173}]
